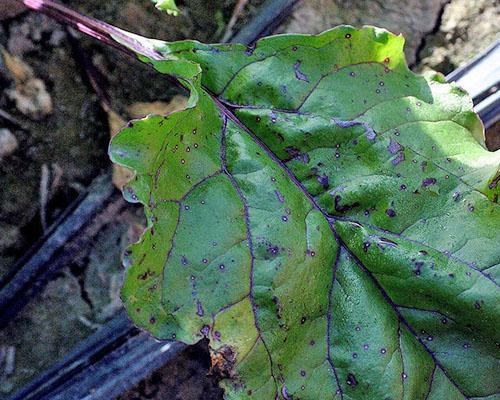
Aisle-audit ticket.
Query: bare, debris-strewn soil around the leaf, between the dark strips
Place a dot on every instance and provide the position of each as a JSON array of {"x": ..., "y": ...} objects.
[{"x": 53, "y": 154}]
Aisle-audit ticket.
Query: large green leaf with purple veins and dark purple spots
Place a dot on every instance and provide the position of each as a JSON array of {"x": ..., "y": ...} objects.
[{"x": 327, "y": 218}]
